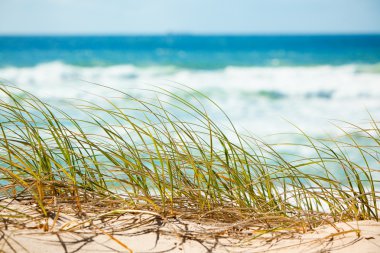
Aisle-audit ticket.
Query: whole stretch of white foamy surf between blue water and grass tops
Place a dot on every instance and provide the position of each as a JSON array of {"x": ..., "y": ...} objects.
[{"x": 257, "y": 98}]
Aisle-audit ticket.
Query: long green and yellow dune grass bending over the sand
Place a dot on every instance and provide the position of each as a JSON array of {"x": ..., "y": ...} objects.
[{"x": 144, "y": 155}]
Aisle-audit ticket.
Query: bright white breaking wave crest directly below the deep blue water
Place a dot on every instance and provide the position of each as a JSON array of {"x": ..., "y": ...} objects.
[{"x": 324, "y": 82}]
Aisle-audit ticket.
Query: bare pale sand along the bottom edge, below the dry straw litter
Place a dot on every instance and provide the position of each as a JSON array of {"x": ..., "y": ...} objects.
[{"x": 154, "y": 239}]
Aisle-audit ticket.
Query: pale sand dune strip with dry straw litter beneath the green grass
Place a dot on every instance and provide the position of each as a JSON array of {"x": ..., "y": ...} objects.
[{"x": 139, "y": 231}]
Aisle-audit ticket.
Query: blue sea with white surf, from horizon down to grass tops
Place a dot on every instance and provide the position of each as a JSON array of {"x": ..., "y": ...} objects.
[{"x": 265, "y": 84}]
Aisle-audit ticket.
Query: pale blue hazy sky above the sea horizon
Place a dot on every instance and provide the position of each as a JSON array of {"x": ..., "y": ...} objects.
[{"x": 188, "y": 16}]
